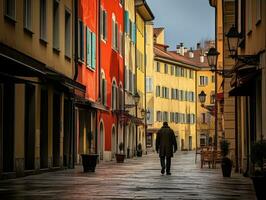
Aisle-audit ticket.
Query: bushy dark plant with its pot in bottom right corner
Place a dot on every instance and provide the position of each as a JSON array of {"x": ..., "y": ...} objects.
[{"x": 258, "y": 157}]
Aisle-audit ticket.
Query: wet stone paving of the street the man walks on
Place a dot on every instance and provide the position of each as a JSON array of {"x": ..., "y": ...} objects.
[{"x": 137, "y": 178}]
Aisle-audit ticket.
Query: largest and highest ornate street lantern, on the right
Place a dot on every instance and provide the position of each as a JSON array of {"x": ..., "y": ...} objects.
[{"x": 233, "y": 40}]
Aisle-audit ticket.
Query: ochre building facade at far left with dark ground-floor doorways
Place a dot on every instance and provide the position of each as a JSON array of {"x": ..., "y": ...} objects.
[{"x": 37, "y": 70}]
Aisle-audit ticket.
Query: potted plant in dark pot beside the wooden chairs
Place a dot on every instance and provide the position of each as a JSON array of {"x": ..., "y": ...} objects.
[{"x": 226, "y": 163}]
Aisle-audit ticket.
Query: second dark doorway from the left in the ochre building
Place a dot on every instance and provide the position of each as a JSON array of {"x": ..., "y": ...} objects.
[{"x": 29, "y": 134}]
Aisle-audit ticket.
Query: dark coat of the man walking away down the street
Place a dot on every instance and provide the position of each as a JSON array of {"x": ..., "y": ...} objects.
[{"x": 166, "y": 141}]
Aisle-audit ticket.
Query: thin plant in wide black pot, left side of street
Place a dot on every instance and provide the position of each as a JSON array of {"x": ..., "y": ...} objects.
[{"x": 89, "y": 160}]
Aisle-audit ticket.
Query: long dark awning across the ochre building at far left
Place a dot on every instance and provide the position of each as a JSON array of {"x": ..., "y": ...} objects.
[{"x": 18, "y": 67}]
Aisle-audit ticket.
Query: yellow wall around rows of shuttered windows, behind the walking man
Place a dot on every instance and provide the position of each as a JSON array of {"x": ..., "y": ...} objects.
[{"x": 183, "y": 131}]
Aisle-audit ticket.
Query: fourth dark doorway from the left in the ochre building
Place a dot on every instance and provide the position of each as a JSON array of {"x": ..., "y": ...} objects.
[{"x": 56, "y": 129}]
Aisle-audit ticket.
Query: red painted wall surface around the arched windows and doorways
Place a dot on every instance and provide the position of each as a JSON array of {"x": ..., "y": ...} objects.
[{"x": 112, "y": 64}]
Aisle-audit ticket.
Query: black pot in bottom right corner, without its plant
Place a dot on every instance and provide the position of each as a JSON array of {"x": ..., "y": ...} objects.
[{"x": 259, "y": 183}]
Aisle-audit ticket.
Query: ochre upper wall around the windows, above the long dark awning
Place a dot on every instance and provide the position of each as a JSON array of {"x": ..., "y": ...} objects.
[{"x": 16, "y": 37}]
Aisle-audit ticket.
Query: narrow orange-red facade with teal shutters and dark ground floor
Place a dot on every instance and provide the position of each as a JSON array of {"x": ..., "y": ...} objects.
[{"x": 88, "y": 75}]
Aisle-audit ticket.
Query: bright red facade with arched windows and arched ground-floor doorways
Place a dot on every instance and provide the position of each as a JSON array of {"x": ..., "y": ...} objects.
[{"x": 112, "y": 77}]
